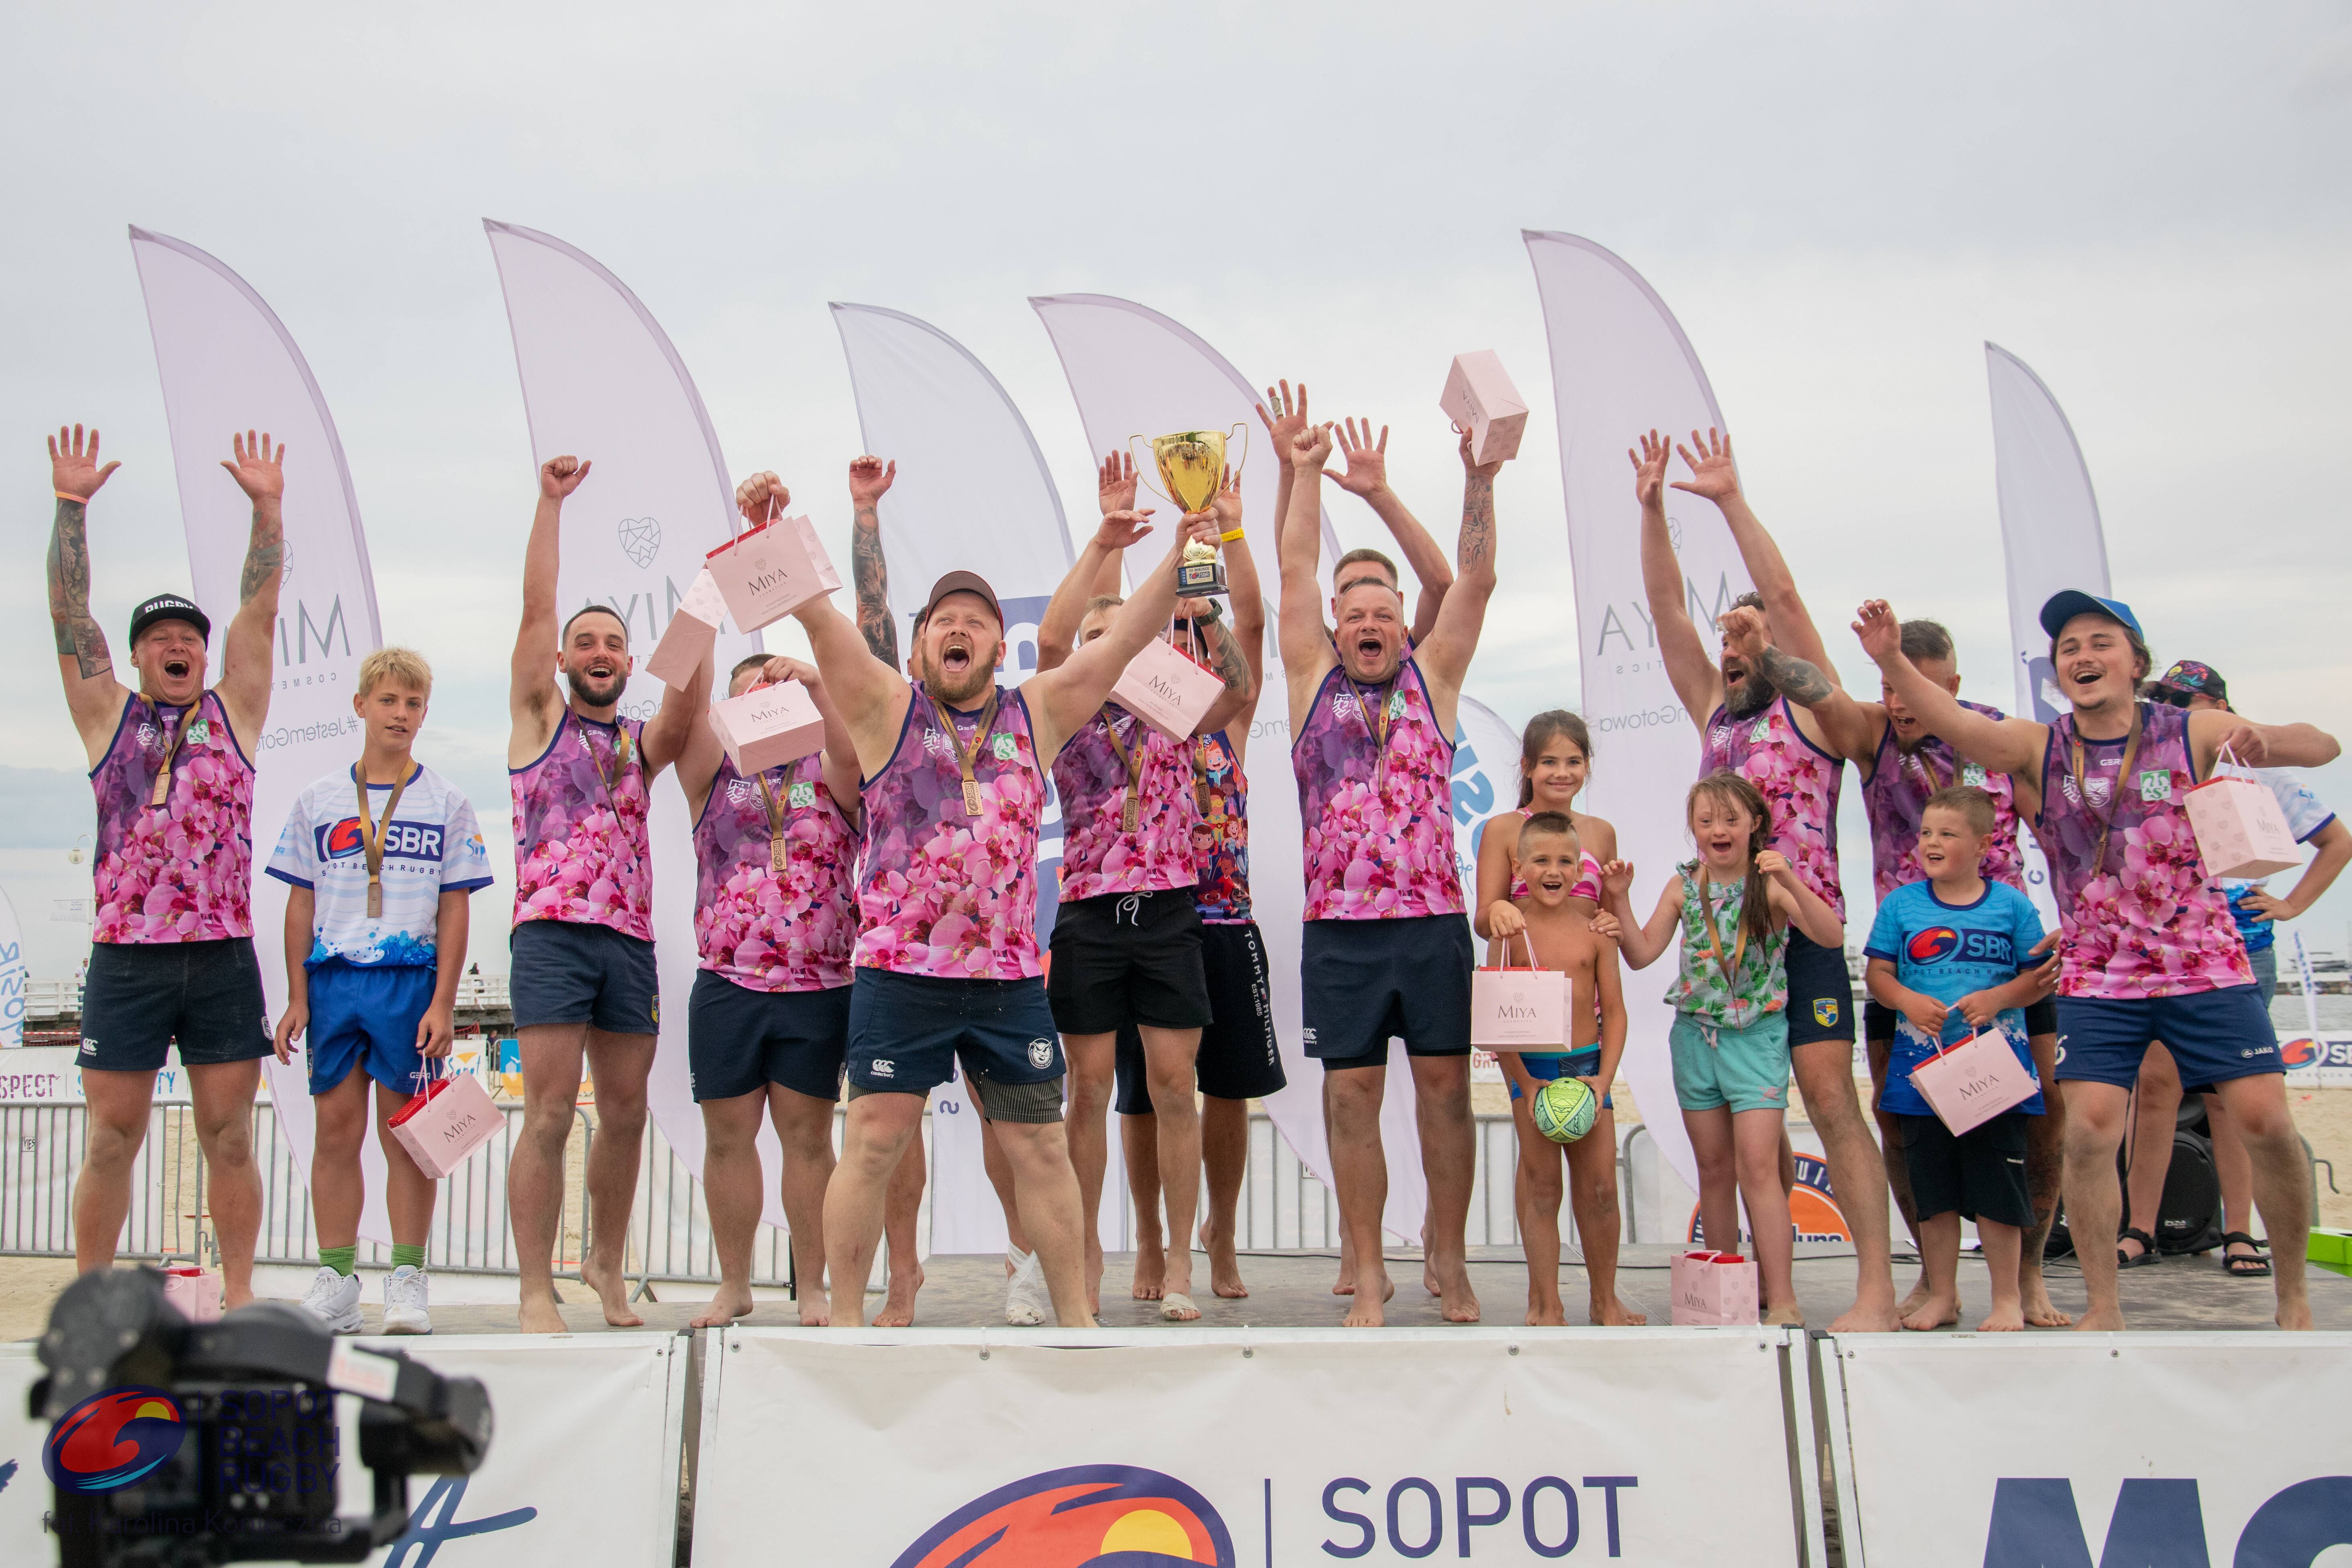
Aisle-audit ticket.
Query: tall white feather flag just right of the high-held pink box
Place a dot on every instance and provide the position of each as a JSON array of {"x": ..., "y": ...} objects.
[{"x": 1622, "y": 368}]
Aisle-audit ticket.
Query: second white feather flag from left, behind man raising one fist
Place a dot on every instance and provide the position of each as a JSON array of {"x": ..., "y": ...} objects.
[{"x": 603, "y": 382}]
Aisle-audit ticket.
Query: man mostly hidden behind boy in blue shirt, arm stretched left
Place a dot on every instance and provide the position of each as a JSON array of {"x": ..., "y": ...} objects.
[{"x": 1904, "y": 765}]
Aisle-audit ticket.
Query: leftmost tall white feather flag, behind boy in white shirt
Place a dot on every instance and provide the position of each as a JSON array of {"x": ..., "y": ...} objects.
[{"x": 229, "y": 366}]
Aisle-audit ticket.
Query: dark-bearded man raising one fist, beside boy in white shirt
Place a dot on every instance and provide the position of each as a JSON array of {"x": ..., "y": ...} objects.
[{"x": 582, "y": 974}]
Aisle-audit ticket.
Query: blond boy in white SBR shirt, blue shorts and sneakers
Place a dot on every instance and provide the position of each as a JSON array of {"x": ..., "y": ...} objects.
[{"x": 380, "y": 859}]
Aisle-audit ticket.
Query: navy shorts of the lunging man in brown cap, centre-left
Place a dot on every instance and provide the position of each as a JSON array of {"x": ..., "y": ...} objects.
[{"x": 907, "y": 1033}]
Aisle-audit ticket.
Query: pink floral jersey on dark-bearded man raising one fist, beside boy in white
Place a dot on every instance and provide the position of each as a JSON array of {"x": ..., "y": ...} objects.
[{"x": 580, "y": 840}]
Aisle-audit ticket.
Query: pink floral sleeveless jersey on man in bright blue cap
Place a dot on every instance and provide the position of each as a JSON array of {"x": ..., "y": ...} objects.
[{"x": 2146, "y": 923}]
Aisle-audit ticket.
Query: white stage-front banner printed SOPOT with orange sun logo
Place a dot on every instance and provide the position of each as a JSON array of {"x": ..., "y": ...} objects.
[{"x": 1285, "y": 1447}]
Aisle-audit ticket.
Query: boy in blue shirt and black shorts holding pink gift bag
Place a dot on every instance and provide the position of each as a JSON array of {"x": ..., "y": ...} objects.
[{"x": 1953, "y": 956}]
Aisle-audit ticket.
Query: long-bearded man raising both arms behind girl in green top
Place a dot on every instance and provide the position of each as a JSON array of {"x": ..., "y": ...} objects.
[{"x": 1784, "y": 751}]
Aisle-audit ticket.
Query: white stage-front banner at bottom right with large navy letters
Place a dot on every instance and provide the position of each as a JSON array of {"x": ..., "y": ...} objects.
[{"x": 1963, "y": 1449}]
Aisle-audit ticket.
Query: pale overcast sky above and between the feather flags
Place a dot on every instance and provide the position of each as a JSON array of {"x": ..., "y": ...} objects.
[{"x": 1840, "y": 203}]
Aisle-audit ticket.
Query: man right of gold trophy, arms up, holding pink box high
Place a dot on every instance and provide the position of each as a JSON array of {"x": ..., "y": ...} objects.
[{"x": 1387, "y": 951}]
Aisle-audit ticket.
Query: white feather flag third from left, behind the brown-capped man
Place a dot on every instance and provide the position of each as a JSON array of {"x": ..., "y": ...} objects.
[{"x": 975, "y": 495}]
